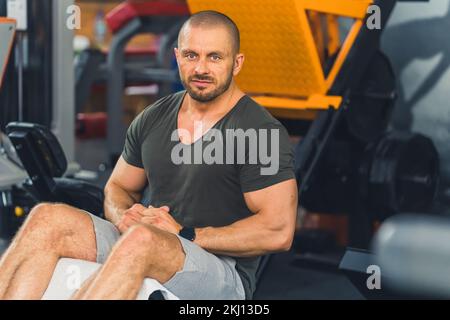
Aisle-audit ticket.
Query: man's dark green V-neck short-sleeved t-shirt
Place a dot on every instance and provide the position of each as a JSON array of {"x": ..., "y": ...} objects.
[{"x": 204, "y": 183}]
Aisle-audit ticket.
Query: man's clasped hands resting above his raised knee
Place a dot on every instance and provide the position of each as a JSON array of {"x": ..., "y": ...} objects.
[{"x": 157, "y": 217}]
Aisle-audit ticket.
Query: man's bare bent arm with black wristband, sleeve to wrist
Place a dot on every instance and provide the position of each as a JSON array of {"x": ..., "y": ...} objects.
[{"x": 270, "y": 229}]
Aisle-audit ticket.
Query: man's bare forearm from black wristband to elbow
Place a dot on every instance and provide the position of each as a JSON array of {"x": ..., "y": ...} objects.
[{"x": 252, "y": 236}]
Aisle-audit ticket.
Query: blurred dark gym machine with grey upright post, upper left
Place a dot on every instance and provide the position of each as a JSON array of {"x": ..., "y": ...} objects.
[{"x": 37, "y": 89}]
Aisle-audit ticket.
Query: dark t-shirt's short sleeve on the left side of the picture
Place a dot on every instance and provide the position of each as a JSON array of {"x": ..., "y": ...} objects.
[{"x": 132, "y": 150}]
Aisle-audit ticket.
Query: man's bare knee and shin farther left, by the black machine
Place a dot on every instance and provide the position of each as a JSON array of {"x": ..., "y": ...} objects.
[{"x": 51, "y": 231}]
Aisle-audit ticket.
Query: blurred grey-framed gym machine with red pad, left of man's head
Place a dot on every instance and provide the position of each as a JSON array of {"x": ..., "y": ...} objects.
[{"x": 117, "y": 67}]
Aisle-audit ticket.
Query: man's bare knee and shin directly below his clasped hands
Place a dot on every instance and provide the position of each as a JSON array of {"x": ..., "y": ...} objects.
[{"x": 143, "y": 252}]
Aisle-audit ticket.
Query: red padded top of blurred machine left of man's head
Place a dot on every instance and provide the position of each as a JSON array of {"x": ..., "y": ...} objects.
[{"x": 129, "y": 10}]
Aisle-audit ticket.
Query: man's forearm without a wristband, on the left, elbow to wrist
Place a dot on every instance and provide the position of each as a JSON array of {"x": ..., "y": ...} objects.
[{"x": 117, "y": 201}]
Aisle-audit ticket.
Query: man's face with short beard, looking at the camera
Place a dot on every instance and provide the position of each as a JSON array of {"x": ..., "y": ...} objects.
[{"x": 206, "y": 62}]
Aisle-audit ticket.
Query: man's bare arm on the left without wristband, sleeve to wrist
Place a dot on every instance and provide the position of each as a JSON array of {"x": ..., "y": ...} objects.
[{"x": 123, "y": 190}]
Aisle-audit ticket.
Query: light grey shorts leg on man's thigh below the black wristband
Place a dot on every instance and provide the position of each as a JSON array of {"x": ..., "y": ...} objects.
[{"x": 206, "y": 276}]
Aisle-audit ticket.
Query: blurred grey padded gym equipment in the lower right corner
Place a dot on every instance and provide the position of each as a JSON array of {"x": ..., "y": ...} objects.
[{"x": 410, "y": 255}]
